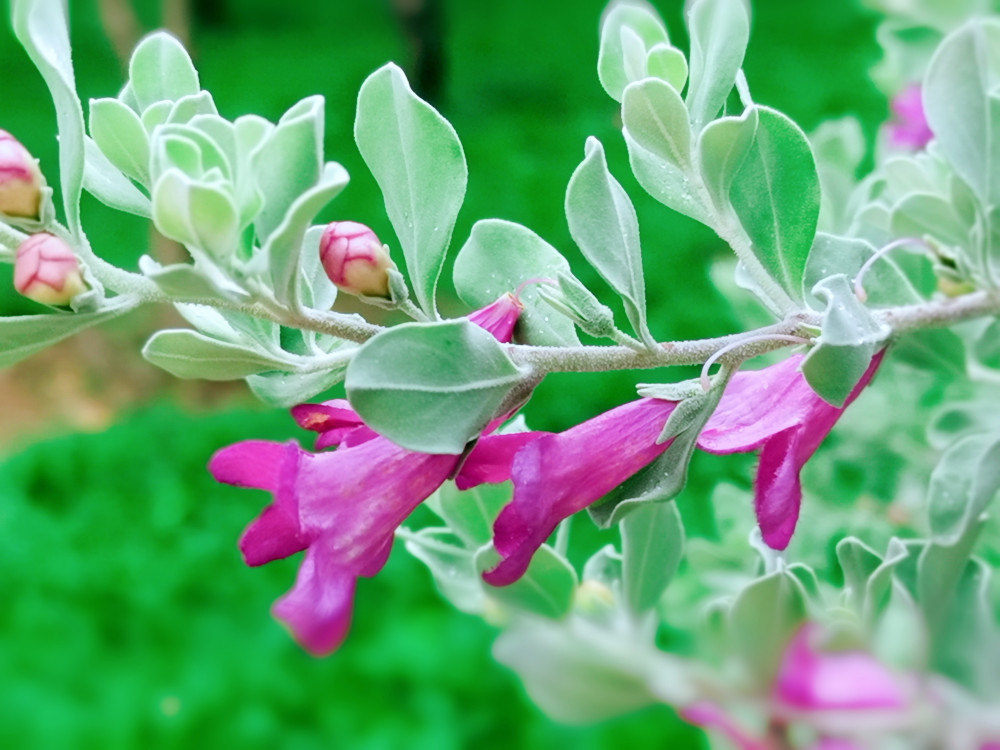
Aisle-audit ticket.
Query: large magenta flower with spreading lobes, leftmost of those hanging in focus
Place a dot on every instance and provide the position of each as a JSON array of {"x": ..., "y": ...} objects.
[{"x": 343, "y": 506}]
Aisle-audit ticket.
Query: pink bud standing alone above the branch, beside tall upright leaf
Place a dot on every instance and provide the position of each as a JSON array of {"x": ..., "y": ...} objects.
[{"x": 354, "y": 259}]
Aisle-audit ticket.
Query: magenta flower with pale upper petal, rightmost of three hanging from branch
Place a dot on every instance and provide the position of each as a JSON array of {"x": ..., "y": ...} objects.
[{"x": 774, "y": 409}]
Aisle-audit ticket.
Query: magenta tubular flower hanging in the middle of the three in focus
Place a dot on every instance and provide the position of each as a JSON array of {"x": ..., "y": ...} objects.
[{"x": 557, "y": 475}]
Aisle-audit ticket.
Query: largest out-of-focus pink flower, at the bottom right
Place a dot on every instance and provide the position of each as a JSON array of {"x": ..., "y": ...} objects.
[{"x": 810, "y": 680}]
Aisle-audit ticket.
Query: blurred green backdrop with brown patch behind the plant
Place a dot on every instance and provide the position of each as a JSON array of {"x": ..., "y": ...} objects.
[{"x": 128, "y": 617}]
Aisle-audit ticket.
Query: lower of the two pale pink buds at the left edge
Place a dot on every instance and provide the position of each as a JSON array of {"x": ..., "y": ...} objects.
[{"x": 46, "y": 270}]
